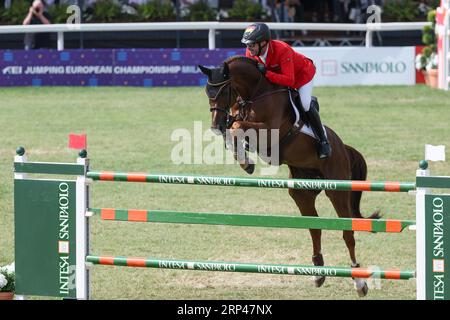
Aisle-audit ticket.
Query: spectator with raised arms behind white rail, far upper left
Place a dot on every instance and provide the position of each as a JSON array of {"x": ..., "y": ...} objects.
[{"x": 37, "y": 14}]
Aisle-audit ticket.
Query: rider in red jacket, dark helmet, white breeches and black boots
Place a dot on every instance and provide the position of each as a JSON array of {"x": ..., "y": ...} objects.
[{"x": 284, "y": 66}]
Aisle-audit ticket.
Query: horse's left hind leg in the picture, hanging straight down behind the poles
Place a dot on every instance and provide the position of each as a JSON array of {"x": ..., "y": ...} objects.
[{"x": 305, "y": 201}]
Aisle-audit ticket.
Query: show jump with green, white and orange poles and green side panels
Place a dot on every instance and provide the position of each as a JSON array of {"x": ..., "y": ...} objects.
[{"x": 52, "y": 227}]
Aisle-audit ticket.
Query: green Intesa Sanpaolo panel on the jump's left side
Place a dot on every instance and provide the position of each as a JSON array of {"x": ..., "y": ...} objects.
[{"x": 47, "y": 266}]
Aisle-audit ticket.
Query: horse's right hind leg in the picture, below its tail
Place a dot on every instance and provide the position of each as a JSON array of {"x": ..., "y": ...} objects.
[{"x": 342, "y": 205}]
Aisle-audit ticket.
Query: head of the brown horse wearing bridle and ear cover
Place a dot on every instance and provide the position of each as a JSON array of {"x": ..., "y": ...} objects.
[{"x": 221, "y": 96}]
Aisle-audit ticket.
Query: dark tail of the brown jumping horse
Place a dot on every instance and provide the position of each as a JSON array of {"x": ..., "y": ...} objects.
[{"x": 359, "y": 172}]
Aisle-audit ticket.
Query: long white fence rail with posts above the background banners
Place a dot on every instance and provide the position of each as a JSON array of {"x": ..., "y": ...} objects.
[{"x": 212, "y": 27}]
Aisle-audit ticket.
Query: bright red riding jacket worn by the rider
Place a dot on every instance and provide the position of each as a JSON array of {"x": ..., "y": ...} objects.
[{"x": 285, "y": 66}]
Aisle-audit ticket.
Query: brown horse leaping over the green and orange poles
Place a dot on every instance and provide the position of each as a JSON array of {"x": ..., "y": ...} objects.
[{"x": 241, "y": 98}]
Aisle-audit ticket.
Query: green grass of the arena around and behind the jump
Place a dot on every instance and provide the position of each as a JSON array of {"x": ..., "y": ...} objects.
[{"x": 129, "y": 129}]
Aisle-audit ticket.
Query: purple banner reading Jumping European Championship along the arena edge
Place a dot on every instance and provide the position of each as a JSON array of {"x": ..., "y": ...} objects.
[{"x": 109, "y": 67}]
